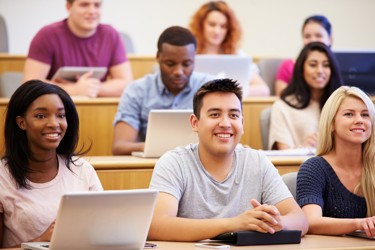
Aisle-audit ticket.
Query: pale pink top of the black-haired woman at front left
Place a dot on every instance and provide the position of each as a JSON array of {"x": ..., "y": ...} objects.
[{"x": 29, "y": 212}]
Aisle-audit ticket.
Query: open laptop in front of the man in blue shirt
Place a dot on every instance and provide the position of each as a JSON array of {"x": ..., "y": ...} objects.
[{"x": 166, "y": 130}]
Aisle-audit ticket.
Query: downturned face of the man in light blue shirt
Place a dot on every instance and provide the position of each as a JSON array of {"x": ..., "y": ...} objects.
[{"x": 176, "y": 65}]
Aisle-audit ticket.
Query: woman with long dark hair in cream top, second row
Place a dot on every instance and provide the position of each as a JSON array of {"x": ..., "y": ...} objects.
[{"x": 295, "y": 117}]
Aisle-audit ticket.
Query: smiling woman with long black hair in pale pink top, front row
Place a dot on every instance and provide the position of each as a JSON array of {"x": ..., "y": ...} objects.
[{"x": 40, "y": 163}]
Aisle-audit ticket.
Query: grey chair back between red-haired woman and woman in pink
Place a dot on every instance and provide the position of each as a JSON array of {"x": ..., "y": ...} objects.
[{"x": 268, "y": 68}]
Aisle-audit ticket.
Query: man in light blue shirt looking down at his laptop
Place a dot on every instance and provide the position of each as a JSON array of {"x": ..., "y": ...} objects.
[{"x": 171, "y": 87}]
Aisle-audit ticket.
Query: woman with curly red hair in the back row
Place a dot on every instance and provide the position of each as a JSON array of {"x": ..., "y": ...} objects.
[{"x": 218, "y": 31}]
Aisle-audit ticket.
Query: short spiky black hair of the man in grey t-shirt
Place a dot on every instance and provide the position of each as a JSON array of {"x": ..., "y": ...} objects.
[{"x": 224, "y": 85}]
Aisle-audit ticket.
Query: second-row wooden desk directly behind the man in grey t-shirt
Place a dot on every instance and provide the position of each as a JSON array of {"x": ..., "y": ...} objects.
[{"x": 129, "y": 172}]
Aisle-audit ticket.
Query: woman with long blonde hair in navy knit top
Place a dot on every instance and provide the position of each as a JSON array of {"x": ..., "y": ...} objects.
[{"x": 336, "y": 189}]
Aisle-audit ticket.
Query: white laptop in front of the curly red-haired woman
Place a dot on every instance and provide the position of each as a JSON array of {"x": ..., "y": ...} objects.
[{"x": 236, "y": 67}]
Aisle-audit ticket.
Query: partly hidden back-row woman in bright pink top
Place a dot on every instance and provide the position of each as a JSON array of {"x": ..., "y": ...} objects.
[{"x": 316, "y": 28}]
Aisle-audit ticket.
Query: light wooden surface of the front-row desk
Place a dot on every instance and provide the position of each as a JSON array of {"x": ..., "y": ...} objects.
[{"x": 312, "y": 242}]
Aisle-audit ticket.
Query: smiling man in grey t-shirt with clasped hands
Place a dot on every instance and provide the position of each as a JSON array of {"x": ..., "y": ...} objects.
[{"x": 218, "y": 185}]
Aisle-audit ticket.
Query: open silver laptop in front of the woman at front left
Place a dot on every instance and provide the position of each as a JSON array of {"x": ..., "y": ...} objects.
[{"x": 102, "y": 220}]
